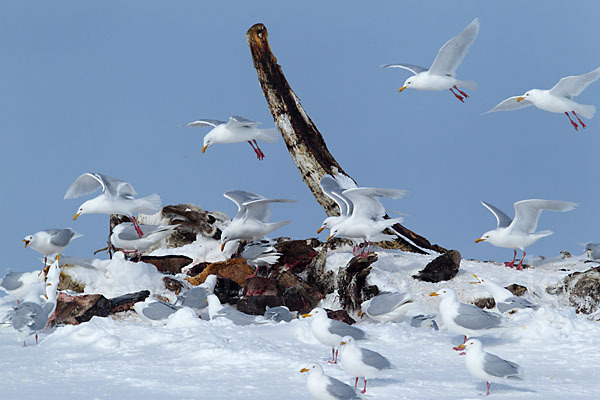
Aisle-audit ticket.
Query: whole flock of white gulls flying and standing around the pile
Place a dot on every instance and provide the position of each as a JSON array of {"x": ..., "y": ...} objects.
[{"x": 362, "y": 219}]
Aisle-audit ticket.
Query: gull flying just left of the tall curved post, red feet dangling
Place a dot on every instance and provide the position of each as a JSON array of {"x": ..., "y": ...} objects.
[{"x": 236, "y": 130}]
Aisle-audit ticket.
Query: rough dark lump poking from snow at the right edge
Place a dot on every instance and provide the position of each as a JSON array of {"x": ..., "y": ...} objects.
[{"x": 583, "y": 289}]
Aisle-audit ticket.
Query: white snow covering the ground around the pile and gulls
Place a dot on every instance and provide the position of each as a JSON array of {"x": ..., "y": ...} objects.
[{"x": 122, "y": 357}]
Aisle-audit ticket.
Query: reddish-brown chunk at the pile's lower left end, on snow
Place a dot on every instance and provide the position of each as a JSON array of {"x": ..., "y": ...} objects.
[{"x": 73, "y": 310}]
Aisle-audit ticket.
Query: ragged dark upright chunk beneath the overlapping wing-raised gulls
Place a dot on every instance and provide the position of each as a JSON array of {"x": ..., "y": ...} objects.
[{"x": 352, "y": 281}]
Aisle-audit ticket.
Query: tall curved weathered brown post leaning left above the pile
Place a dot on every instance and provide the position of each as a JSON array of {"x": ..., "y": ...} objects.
[{"x": 303, "y": 139}]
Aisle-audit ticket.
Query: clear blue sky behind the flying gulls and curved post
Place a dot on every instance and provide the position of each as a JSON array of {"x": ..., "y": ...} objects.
[{"x": 103, "y": 86}]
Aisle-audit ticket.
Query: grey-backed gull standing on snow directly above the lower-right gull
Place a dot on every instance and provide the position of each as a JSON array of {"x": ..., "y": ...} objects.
[{"x": 464, "y": 319}]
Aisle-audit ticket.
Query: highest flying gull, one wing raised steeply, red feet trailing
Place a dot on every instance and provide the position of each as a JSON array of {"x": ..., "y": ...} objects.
[{"x": 442, "y": 73}]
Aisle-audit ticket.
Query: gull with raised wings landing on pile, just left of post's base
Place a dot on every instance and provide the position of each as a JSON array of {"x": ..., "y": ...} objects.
[{"x": 251, "y": 221}]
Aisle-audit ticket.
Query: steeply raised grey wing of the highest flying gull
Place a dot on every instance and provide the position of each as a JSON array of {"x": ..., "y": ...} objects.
[{"x": 453, "y": 52}]
